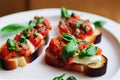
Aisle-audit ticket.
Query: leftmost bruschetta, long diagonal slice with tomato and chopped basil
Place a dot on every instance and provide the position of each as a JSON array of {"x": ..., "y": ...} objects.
[{"x": 26, "y": 46}]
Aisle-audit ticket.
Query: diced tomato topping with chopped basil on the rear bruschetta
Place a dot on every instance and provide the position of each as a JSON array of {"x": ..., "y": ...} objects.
[{"x": 80, "y": 30}]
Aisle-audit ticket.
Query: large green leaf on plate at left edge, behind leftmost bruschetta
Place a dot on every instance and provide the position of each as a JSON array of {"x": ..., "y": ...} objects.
[{"x": 11, "y": 29}]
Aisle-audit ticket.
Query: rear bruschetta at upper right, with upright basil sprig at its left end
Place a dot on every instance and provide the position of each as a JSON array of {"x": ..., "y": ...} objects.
[{"x": 80, "y": 28}]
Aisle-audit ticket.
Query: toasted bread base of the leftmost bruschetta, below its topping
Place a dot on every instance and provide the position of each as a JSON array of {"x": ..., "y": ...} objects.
[{"x": 21, "y": 61}]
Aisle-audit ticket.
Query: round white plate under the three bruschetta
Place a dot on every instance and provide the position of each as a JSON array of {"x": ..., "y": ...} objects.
[{"x": 39, "y": 70}]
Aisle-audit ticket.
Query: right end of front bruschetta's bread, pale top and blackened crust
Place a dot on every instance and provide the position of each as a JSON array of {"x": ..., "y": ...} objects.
[{"x": 96, "y": 69}]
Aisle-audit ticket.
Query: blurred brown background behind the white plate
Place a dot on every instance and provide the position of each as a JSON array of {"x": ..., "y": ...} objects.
[{"x": 106, "y": 8}]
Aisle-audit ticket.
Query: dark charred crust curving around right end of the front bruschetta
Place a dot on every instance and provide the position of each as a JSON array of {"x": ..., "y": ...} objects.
[{"x": 94, "y": 72}]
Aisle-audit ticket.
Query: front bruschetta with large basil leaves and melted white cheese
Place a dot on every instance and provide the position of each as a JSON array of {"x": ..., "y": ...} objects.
[{"x": 74, "y": 54}]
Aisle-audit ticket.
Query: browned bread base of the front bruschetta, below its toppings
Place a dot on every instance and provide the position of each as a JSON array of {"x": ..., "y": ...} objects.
[{"x": 95, "y": 69}]
